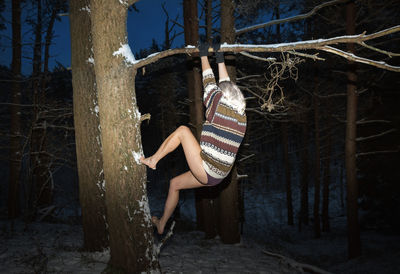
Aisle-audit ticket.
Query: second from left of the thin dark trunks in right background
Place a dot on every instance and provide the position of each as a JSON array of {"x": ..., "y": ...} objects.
[{"x": 304, "y": 173}]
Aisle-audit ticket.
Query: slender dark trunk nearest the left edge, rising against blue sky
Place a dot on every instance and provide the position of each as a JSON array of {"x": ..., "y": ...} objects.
[{"x": 15, "y": 114}]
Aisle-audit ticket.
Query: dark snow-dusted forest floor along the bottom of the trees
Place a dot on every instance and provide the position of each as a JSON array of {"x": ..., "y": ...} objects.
[{"x": 55, "y": 248}]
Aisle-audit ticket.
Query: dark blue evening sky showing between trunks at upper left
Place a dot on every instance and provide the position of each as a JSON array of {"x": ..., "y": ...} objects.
[{"x": 142, "y": 28}]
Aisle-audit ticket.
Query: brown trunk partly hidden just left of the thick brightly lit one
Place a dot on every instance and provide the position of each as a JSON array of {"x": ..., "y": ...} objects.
[{"x": 87, "y": 129}]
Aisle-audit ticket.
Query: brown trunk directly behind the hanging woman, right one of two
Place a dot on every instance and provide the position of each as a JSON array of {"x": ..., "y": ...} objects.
[{"x": 229, "y": 216}]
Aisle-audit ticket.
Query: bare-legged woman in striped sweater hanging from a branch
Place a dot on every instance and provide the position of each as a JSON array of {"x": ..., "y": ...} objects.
[{"x": 223, "y": 131}]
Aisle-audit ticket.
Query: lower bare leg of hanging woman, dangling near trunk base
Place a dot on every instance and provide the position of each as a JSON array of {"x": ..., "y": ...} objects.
[{"x": 183, "y": 181}]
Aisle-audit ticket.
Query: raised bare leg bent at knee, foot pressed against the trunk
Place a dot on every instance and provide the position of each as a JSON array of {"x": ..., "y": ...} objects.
[{"x": 191, "y": 148}]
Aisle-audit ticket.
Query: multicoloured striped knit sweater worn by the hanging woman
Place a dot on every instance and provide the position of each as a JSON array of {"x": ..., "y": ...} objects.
[{"x": 223, "y": 131}]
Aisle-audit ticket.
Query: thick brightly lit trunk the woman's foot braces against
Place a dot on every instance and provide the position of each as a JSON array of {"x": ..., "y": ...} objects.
[{"x": 128, "y": 213}]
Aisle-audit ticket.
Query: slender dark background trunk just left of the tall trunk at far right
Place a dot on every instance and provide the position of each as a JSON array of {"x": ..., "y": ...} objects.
[{"x": 327, "y": 179}]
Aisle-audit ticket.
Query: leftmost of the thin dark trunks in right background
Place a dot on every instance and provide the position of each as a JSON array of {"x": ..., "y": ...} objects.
[{"x": 287, "y": 165}]
